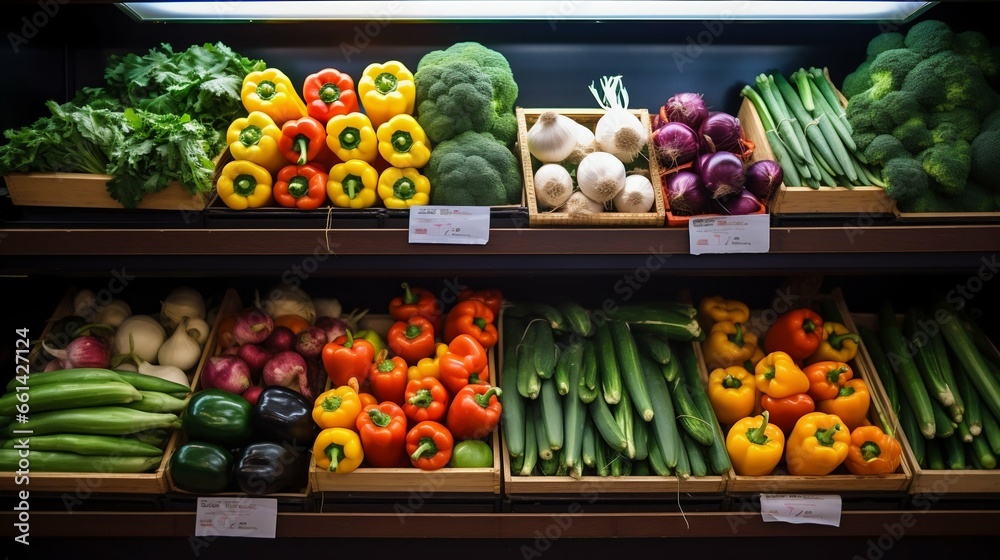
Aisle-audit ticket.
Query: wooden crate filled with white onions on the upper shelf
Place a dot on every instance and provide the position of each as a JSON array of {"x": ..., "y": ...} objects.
[{"x": 590, "y": 167}]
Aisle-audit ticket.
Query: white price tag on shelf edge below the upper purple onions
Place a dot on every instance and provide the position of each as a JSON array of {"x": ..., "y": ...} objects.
[{"x": 730, "y": 234}]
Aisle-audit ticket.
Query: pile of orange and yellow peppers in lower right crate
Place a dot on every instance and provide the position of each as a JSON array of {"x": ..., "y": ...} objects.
[{"x": 793, "y": 397}]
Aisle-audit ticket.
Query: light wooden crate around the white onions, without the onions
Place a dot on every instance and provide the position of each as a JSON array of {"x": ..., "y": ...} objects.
[{"x": 544, "y": 218}]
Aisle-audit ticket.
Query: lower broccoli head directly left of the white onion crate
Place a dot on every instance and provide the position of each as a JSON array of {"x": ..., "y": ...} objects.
[{"x": 473, "y": 169}]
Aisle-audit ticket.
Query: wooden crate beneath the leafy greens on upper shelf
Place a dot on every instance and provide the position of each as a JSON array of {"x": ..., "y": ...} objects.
[{"x": 85, "y": 190}]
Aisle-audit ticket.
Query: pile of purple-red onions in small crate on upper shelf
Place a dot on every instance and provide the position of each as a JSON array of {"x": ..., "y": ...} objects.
[{"x": 706, "y": 162}]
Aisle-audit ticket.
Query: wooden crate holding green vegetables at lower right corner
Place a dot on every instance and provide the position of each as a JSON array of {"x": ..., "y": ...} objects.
[{"x": 932, "y": 482}]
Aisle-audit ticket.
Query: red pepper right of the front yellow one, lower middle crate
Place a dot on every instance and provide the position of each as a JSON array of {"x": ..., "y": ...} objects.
[{"x": 383, "y": 428}]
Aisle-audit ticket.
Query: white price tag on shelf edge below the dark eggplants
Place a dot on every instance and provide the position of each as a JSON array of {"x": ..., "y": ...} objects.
[{"x": 236, "y": 517}]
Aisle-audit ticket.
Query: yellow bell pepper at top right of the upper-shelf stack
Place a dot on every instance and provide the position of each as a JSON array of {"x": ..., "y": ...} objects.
[{"x": 386, "y": 90}]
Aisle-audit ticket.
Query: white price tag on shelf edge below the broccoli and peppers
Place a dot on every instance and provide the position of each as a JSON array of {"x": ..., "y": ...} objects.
[{"x": 459, "y": 225}]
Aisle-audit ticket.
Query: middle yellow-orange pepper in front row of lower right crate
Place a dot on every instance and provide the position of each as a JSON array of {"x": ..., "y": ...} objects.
[{"x": 817, "y": 445}]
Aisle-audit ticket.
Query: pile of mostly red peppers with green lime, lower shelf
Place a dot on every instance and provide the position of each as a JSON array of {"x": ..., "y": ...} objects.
[{"x": 425, "y": 400}]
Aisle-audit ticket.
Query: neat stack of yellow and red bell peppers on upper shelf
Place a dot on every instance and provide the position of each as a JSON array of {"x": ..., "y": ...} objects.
[{"x": 303, "y": 151}]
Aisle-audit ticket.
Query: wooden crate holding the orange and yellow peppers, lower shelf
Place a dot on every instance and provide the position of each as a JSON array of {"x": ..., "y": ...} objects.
[{"x": 839, "y": 481}]
